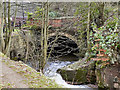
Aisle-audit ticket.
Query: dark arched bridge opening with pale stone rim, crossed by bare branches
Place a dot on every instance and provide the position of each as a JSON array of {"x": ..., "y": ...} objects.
[{"x": 65, "y": 43}]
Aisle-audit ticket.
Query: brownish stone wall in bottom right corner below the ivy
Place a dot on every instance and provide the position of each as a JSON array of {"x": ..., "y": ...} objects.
[{"x": 108, "y": 77}]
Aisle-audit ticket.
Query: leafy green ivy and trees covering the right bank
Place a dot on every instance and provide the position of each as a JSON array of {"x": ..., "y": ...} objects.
[{"x": 103, "y": 25}]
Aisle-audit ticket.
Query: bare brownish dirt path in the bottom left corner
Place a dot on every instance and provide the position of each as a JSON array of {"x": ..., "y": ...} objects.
[{"x": 8, "y": 76}]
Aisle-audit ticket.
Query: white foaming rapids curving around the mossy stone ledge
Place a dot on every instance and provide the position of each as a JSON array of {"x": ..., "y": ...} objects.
[{"x": 51, "y": 72}]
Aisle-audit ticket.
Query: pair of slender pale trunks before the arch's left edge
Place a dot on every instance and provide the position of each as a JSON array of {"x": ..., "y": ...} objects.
[{"x": 44, "y": 30}]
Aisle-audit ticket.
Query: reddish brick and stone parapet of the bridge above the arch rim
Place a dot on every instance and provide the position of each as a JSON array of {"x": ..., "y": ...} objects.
[{"x": 64, "y": 24}]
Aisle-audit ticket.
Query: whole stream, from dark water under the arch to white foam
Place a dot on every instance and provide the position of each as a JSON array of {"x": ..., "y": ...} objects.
[{"x": 52, "y": 66}]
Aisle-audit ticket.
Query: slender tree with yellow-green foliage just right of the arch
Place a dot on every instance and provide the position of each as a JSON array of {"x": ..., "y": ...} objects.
[{"x": 83, "y": 27}]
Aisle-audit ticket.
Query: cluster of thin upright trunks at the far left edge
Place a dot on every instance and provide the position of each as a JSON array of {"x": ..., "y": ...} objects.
[{"x": 7, "y": 28}]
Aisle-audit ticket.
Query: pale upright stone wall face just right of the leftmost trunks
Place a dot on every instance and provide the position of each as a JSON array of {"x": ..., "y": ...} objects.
[{"x": 18, "y": 45}]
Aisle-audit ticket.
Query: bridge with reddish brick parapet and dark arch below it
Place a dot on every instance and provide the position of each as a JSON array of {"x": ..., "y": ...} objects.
[{"x": 65, "y": 31}]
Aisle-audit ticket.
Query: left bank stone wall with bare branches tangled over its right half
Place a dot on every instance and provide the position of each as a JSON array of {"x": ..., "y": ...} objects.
[{"x": 25, "y": 46}]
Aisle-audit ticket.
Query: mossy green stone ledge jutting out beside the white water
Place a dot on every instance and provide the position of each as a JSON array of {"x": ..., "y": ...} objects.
[{"x": 79, "y": 72}]
